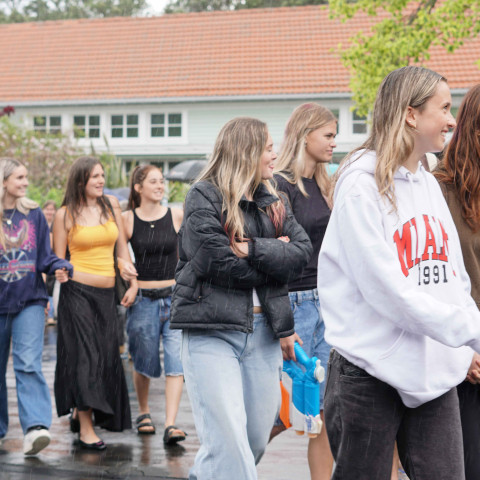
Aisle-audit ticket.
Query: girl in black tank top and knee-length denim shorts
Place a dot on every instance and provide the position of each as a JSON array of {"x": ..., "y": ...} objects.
[{"x": 152, "y": 231}]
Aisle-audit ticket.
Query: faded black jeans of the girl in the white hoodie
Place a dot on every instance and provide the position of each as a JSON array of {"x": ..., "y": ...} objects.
[{"x": 364, "y": 416}]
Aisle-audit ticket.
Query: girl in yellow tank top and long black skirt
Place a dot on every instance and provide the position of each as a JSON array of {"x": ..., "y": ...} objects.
[{"x": 89, "y": 376}]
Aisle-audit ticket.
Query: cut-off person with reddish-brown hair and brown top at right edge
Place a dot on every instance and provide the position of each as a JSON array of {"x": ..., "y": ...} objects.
[{"x": 459, "y": 177}]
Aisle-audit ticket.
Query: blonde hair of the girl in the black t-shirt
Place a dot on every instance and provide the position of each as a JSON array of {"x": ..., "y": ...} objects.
[{"x": 290, "y": 163}]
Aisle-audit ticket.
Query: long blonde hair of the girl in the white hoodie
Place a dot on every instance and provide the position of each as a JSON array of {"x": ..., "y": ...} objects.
[{"x": 391, "y": 137}]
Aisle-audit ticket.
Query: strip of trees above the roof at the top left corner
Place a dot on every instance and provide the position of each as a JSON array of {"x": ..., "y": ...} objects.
[{"x": 14, "y": 11}]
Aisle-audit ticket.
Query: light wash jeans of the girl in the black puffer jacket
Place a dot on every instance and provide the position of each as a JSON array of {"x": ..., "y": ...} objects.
[{"x": 232, "y": 380}]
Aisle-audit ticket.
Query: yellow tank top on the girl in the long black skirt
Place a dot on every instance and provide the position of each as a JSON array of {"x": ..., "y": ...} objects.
[{"x": 91, "y": 248}]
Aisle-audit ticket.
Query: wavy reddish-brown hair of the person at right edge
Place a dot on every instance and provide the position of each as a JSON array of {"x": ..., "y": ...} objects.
[{"x": 461, "y": 163}]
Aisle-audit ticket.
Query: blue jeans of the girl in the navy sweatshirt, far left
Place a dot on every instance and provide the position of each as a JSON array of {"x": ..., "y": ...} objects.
[{"x": 25, "y": 329}]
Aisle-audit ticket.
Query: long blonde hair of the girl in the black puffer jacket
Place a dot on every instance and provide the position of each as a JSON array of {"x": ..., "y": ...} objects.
[{"x": 234, "y": 168}]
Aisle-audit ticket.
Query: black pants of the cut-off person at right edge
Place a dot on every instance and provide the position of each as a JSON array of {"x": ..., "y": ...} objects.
[{"x": 469, "y": 399}]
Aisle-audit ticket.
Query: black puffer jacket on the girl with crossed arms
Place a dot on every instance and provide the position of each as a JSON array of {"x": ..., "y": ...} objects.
[{"x": 214, "y": 286}]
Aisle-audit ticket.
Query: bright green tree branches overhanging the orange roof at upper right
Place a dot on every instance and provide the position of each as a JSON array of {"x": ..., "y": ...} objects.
[{"x": 402, "y": 37}]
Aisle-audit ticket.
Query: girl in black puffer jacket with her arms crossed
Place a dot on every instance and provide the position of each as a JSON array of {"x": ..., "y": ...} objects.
[{"x": 239, "y": 247}]
